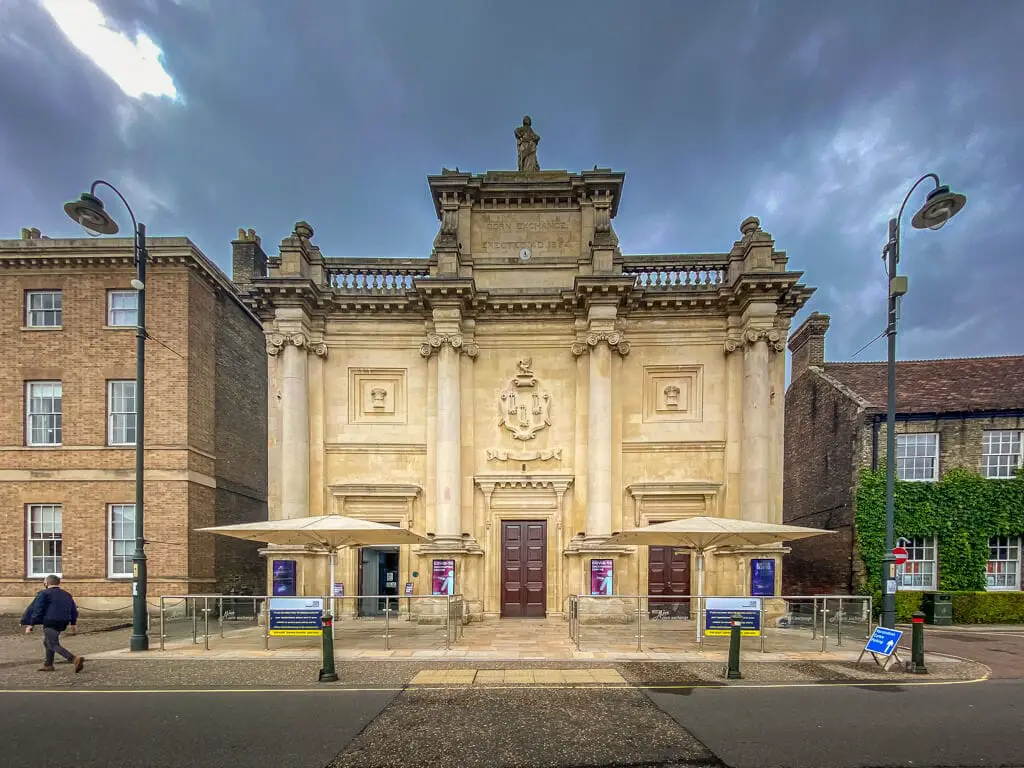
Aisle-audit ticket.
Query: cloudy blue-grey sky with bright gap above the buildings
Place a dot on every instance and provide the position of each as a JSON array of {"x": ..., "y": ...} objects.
[{"x": 817, "y": 117}]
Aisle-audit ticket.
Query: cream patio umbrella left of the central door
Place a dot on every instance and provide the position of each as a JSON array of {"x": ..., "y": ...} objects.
[{"x": 330, "y": 533}]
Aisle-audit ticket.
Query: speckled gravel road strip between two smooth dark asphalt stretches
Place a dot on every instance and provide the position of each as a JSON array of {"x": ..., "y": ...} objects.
[{"x": 524, "y": 728}]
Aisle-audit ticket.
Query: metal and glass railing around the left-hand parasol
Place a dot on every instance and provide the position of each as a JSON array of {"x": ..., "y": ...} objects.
[{"x": 367, "y": 612}]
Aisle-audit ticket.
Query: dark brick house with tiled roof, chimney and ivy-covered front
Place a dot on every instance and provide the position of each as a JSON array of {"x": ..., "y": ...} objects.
[{"x": 950, "y": 413}]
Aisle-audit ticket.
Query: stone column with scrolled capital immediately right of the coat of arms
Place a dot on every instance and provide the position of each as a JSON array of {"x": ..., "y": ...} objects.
[{"x": 600, "y": 430}]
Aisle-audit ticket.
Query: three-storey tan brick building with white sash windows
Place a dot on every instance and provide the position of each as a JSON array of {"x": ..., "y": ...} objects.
[{"x": 67, "y": 432}]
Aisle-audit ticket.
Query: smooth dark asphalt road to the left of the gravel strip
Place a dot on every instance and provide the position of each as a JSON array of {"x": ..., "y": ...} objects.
[{"x": 179, "y": 731}]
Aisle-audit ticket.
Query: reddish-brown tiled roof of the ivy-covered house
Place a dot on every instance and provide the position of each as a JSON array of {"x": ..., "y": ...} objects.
[{"x": 938, "y": 387}]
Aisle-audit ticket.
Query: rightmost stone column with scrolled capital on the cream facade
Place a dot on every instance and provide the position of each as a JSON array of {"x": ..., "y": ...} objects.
[{"x": 756, "y": 440}]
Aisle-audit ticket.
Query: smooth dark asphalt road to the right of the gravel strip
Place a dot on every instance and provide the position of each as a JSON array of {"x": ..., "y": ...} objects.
[{"x": 871, "y": 727}]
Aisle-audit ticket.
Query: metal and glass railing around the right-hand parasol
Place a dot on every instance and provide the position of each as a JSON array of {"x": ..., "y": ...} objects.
[{"x": 788, "y": 620}]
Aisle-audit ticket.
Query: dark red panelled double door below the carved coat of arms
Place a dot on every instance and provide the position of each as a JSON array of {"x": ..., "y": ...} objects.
[{"x": 525, "y": 569}]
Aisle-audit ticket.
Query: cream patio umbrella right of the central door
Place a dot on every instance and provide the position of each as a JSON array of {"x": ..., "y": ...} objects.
[{"x": 705, "y": 534}]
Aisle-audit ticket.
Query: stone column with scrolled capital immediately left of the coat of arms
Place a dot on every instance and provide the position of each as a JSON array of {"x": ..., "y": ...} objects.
[{"x": 449, "y": 448}]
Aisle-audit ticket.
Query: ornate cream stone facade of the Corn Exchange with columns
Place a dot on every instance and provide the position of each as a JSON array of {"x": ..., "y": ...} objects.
[{"x": 526, "y": 371}]
